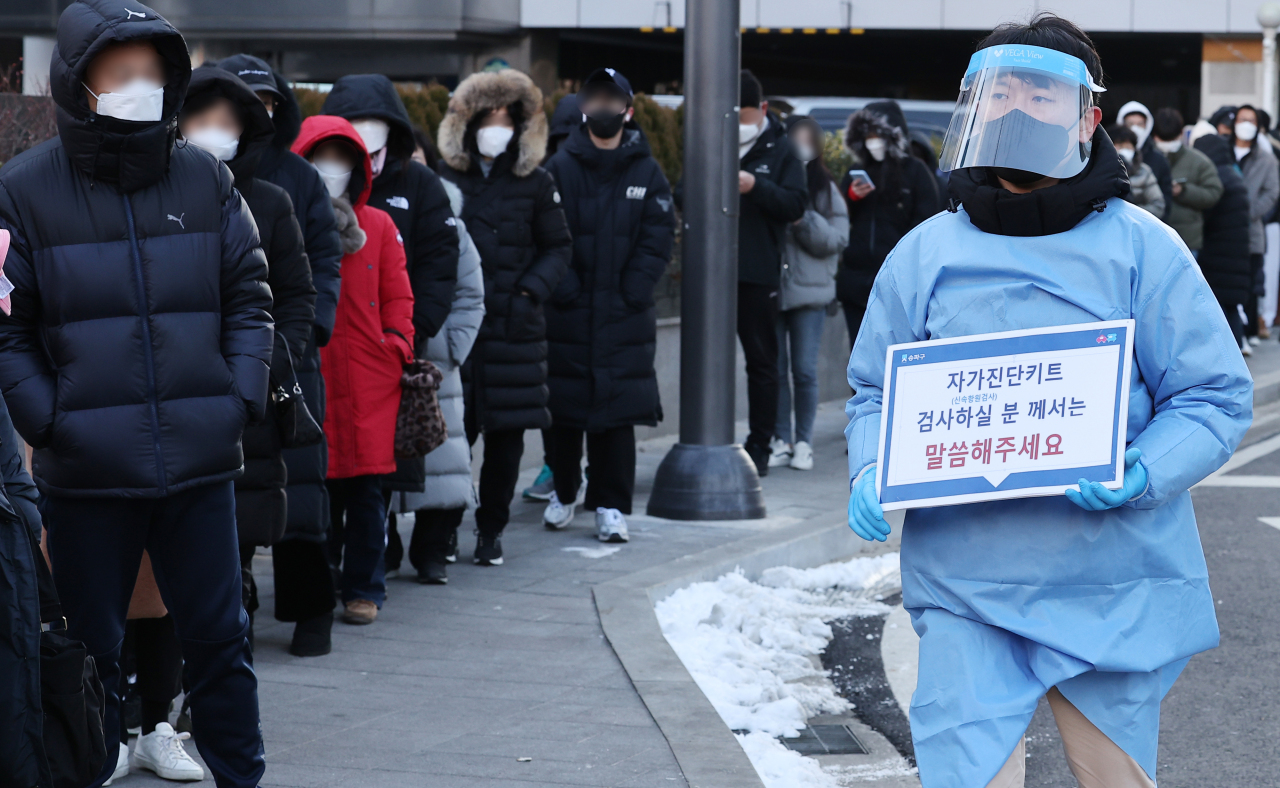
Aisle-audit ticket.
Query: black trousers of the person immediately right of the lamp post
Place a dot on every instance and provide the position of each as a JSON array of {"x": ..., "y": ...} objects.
[{"x": 758, "y": 332}]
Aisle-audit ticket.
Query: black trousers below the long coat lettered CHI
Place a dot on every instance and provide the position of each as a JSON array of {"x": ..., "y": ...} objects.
[{"x": 611, "y": 456}]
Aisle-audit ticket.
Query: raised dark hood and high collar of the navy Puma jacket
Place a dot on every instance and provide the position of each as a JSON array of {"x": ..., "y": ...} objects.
[{"x": 130, "y": 154}]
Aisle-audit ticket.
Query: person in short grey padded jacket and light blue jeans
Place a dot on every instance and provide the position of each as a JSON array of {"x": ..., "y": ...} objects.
[{"x": 811, "y": 256}]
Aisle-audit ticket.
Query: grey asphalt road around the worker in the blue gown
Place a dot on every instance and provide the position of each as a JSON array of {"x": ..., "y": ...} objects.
[{"x": 1220, "y": 725}]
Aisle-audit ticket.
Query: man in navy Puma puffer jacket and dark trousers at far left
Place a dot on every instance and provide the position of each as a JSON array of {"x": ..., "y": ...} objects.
[{"x": 138, "y": 351}]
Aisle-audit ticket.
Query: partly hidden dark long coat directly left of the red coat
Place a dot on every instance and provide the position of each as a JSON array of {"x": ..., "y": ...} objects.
[{"x": 308, "y": 496}]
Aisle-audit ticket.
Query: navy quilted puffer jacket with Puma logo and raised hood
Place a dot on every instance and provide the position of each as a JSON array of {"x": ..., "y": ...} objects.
[{"x": 140, "y": 338}]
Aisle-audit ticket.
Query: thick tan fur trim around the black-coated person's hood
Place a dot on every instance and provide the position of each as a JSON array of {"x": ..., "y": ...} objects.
[{"x": 488, "y": 91}]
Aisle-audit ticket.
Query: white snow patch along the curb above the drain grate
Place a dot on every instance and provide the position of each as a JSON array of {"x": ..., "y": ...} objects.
[{"x": 749, "y": 645}]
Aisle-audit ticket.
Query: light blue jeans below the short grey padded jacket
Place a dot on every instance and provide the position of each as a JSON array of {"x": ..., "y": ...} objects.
[{"x": 799, "y": 338}]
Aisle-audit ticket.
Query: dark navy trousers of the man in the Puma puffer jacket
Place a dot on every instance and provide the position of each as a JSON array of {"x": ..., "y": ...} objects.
[{"x": 97, "y": 547}]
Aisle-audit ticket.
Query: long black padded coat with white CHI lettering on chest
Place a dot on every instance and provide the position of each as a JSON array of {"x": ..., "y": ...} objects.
[{"x": 602, "y": 324}]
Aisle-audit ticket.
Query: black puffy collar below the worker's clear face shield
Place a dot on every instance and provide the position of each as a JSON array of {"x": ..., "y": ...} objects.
[{"x": 1046, "y": 212}]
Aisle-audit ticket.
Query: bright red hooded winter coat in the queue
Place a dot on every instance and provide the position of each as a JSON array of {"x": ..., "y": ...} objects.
[{"x": 362, "y": 365}]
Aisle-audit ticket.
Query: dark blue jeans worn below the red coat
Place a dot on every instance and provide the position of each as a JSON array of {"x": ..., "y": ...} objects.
[{"x": 362, "y": 537}]
